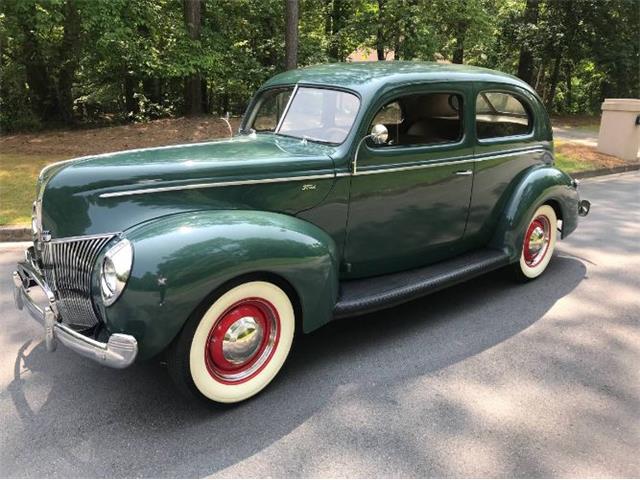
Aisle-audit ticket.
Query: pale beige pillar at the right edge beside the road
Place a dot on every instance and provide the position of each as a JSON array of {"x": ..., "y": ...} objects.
[{"x": 620, "y": 128}]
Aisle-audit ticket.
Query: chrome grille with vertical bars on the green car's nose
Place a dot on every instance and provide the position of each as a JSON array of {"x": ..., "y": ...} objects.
[{"x": 67, "y": 267}]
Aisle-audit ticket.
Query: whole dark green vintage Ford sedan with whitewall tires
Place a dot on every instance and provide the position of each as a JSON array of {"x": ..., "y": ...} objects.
[{"x": 349, "y": 188}]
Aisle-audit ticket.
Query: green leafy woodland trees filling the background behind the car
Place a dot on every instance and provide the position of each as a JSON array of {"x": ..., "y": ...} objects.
[{"x": 71, "y": 61}]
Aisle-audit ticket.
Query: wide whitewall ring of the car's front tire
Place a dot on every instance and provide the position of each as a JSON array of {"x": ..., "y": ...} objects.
[{"x": 199, "y": 376}]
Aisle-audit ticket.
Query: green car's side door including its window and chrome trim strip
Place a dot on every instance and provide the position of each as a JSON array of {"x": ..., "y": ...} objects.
[{"x": 409, "y": 197}]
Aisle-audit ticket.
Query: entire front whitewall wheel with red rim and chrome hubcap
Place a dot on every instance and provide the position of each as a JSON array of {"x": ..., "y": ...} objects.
[{"x": 231, "y": 349}]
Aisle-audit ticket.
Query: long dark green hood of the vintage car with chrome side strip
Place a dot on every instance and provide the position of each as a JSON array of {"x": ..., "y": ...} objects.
[{"x": 81, "y": 196}]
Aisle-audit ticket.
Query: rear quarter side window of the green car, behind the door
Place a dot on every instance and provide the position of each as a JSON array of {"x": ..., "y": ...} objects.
[{"x": 501, "y": 115}]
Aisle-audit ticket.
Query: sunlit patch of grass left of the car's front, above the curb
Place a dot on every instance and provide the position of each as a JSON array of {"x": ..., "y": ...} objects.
[{"x": 18, "y": 175}]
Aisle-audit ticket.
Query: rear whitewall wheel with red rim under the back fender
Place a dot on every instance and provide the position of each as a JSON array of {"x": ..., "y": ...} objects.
[{"x": 538, "y": 244}]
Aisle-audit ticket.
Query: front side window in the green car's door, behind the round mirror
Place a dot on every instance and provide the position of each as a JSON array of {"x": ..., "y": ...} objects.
[{"x": 424, "y": 119}]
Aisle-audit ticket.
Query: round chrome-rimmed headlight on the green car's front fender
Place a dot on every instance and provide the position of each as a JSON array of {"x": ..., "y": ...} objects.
[{"x": 116, "y": 267}]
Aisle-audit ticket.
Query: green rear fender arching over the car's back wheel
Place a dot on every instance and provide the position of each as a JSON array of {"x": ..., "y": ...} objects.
[{"x": 543, "y": 184}]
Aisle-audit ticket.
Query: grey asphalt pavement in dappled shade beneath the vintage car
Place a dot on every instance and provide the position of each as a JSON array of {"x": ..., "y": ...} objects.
[{"x": 486, "y": 379}]
